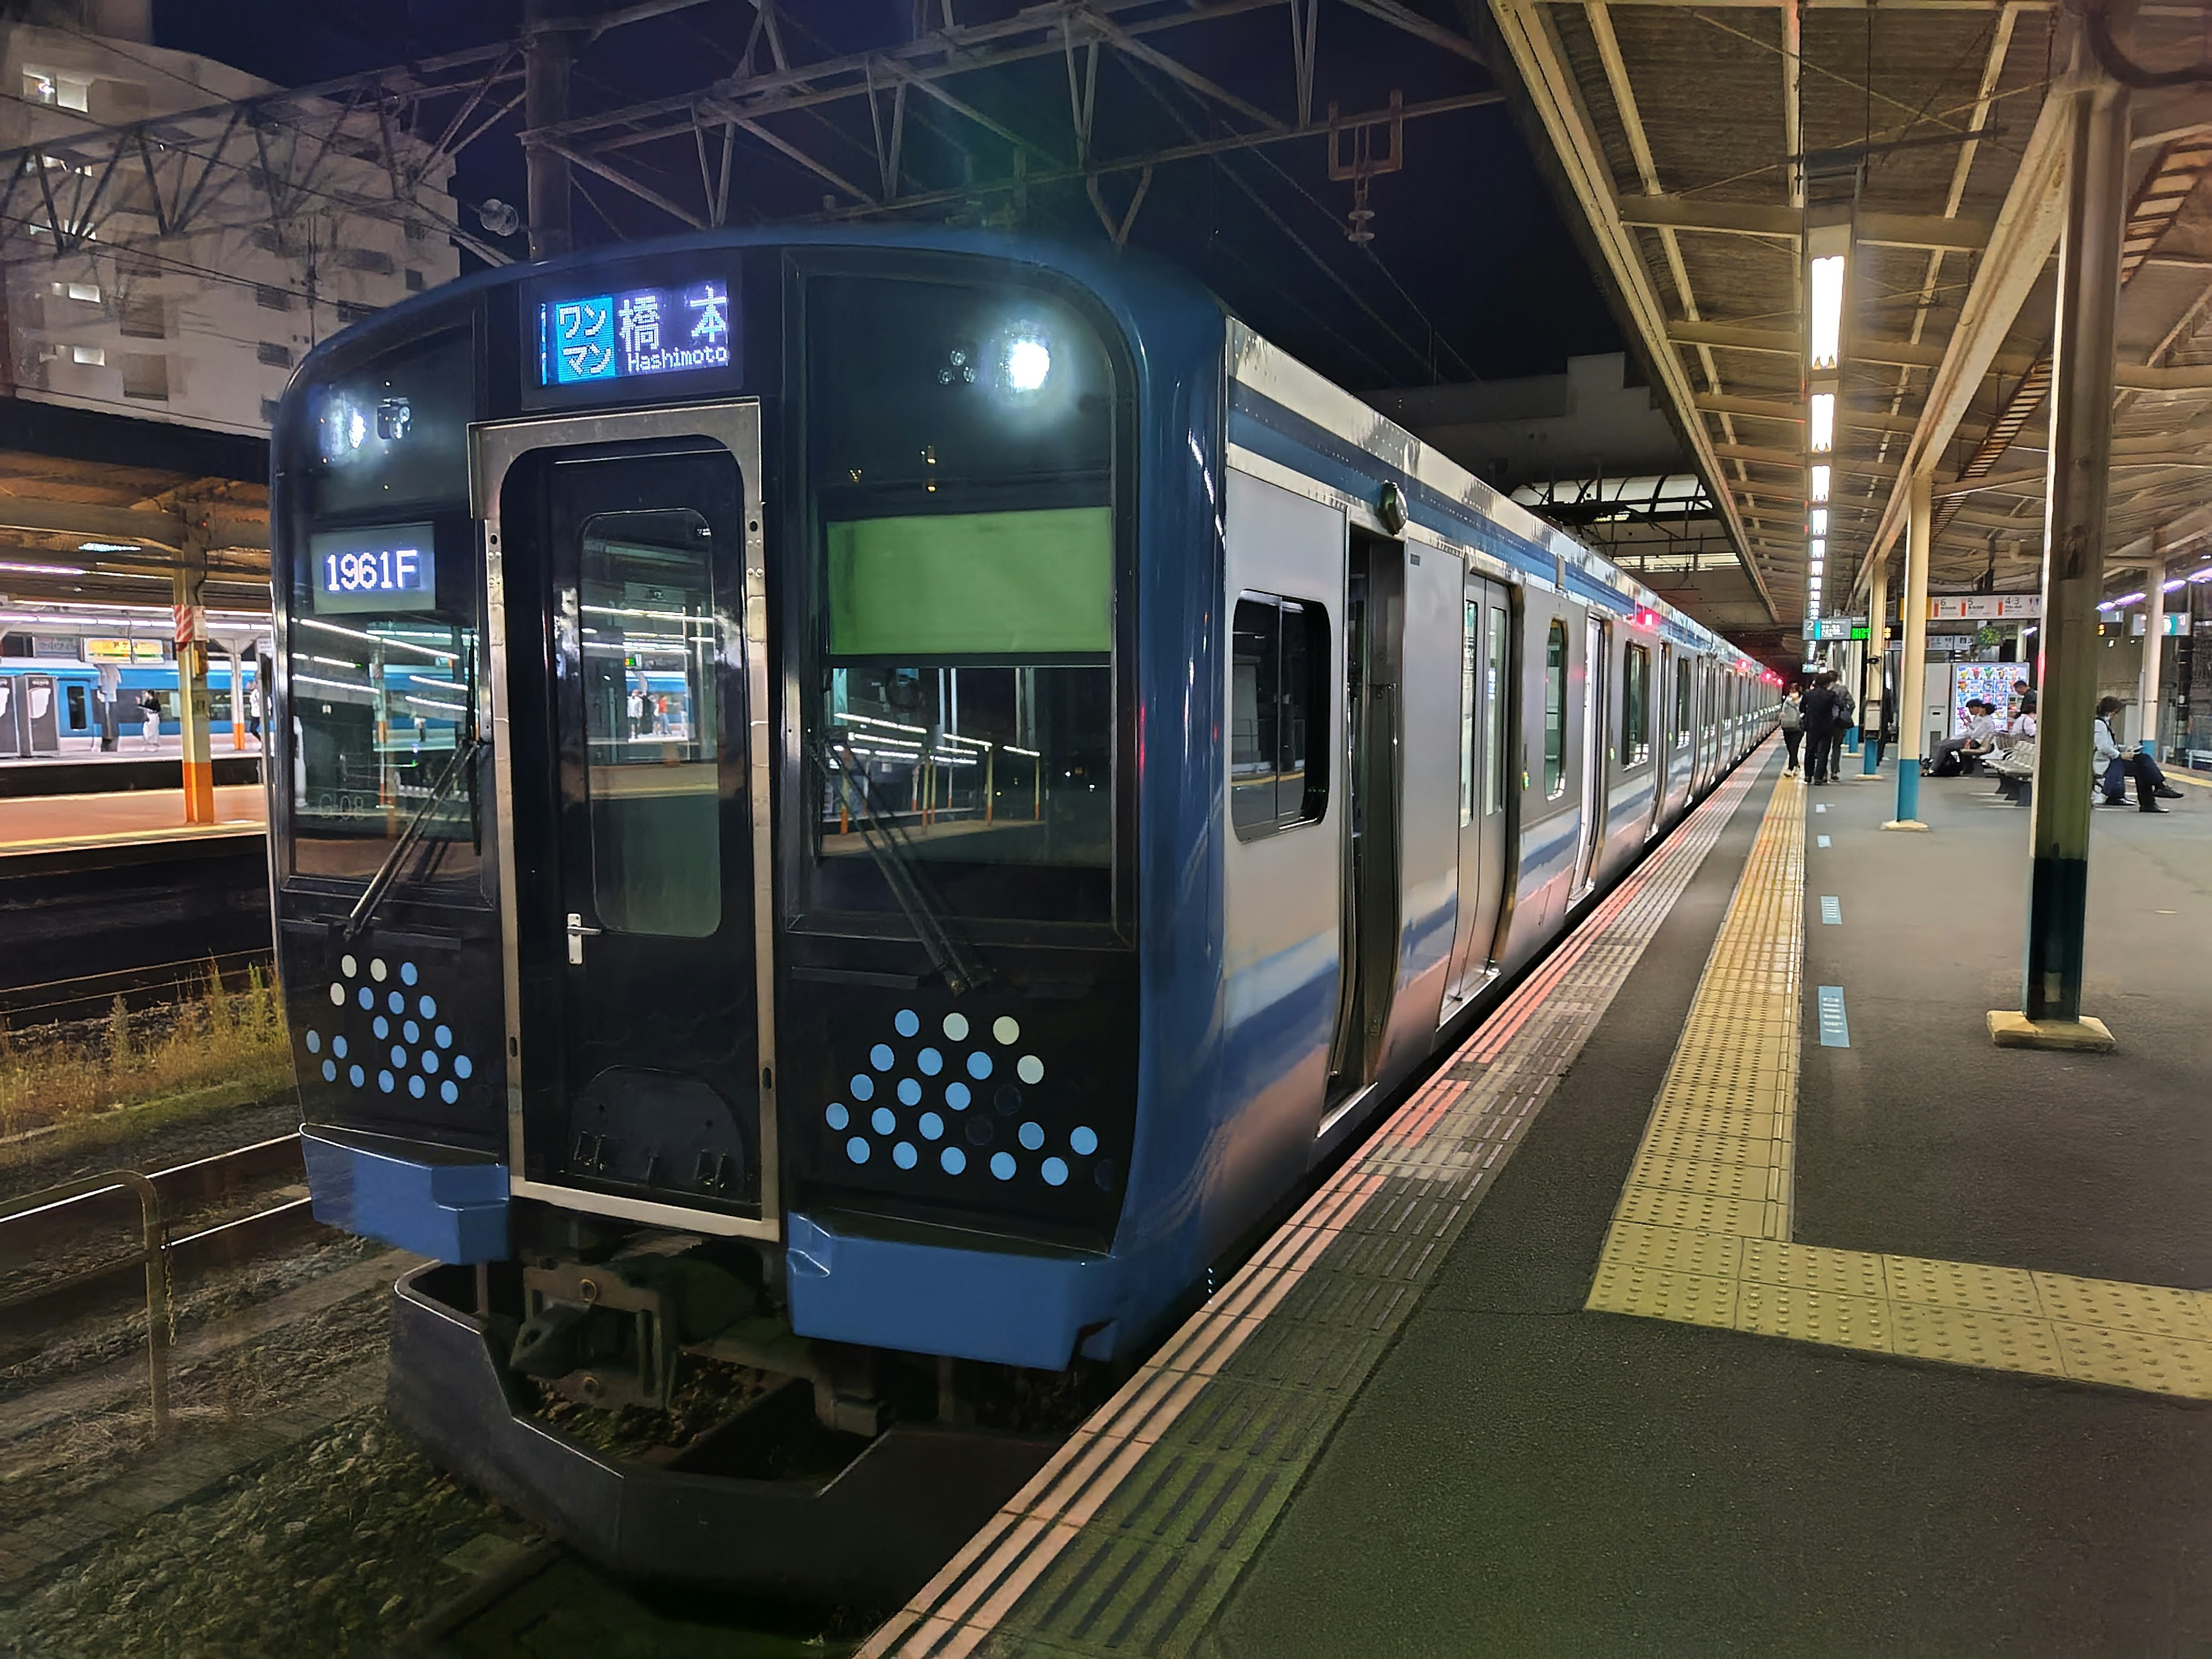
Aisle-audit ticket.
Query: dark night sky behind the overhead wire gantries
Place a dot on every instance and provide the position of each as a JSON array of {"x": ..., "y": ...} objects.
[{"x": 1470, "y": 278}]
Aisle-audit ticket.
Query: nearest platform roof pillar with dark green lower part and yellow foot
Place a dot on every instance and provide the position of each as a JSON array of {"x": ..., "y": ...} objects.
[{"x": 2074, "y": 572}]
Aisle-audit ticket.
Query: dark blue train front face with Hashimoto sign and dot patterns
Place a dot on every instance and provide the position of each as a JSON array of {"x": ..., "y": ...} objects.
[{"x": 705, "y": 800}]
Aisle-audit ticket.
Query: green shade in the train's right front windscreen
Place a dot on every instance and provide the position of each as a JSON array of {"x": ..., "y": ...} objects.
[{"x": 972, "y": 585}]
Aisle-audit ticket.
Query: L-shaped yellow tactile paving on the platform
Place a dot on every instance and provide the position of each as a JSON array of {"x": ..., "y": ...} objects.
[{"x": 1702, "y": 1233}]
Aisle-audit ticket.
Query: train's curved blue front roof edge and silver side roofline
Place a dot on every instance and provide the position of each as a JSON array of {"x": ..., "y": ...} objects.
[{"x": 1145, "y": 293}]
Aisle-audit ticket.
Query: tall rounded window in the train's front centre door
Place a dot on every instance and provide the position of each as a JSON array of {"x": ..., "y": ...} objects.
[{"x": 647, "y": 620}]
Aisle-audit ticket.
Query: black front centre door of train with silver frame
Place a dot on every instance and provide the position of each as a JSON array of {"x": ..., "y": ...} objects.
[{"x": 627, "y": 625}]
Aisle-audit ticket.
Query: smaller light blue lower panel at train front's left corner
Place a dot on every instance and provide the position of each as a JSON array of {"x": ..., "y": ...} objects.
[{"x": 441, "y": 1209}]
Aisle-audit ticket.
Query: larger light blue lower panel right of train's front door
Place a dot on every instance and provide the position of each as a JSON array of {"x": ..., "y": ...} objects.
[{"x": 999, "y": 1306}]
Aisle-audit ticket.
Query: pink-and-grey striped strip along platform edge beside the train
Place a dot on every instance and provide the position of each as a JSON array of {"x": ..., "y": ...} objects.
[{"x": 1136, "y": 1532}]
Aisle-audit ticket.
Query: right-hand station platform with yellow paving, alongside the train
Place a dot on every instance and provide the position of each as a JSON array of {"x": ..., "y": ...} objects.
[{"x": 1726, "y": 1293}]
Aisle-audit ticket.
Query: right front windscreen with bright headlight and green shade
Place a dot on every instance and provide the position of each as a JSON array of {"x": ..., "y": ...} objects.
[{"x": 961, "y": 461}]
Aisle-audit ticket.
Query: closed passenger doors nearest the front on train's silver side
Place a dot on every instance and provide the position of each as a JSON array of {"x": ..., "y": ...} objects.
[{"x": 1488, "y": 727}]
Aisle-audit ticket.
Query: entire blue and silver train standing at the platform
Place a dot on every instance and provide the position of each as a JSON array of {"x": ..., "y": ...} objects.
[{"x": 875, "y": 804}]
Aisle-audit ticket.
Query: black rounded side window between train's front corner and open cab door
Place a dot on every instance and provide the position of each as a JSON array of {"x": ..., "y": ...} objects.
[{"x": 1280, "y": 680}]
